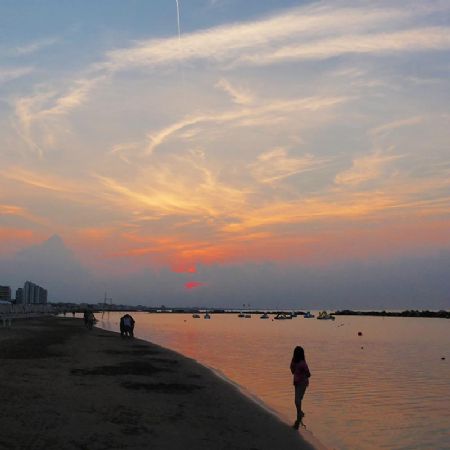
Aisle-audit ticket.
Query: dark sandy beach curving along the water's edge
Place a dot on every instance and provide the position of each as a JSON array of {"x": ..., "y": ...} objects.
[{"x": 65, "y": 387}]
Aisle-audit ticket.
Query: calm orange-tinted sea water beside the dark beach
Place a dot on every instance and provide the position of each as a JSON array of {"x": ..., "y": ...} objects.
[{"x": 386, "y": 389}]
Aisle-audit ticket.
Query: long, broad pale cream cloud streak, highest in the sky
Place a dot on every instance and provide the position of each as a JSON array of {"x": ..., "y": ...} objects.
[{"x": 323, "y": 31}]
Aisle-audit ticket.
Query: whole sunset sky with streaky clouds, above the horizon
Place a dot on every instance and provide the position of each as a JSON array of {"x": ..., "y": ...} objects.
[{"x": 272, "y": 153}]
